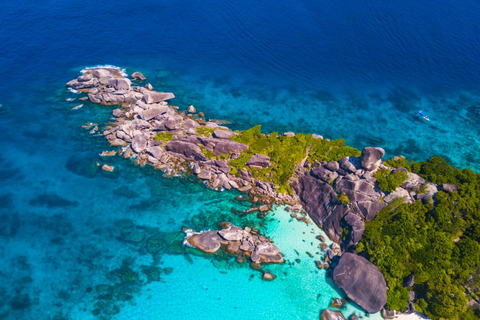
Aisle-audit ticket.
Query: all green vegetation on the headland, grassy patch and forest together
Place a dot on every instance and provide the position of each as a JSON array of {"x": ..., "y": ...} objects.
[{"x": 437, "y": 240}]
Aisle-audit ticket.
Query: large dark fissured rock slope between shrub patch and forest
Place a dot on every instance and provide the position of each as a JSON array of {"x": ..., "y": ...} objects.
[{"x": 319, "y": 189}]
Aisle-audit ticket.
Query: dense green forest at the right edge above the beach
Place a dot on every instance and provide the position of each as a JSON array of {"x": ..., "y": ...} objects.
[{"x": 418, "y": 239}]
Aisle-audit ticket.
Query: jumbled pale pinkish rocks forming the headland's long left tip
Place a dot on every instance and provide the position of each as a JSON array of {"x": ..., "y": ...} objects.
[{"x": 186, "y": 138}]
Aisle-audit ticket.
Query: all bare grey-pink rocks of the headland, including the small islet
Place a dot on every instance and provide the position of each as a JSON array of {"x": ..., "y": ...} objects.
[{"x": 145, "y": 128}]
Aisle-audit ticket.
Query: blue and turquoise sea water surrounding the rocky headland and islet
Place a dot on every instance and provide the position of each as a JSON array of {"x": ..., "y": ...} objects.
[{"x": 78, "y": 244}]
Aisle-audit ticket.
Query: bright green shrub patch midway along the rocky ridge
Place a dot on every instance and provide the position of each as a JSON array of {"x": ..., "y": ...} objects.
[{"x": 286, "y": 152}]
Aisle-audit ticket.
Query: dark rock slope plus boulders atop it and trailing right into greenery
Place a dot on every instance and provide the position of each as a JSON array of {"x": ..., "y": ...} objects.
[{"x": 320, "y": 187}]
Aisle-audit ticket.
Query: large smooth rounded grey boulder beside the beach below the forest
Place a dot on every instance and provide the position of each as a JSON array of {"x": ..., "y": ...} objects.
[{"x": 362, "y": 282}]
